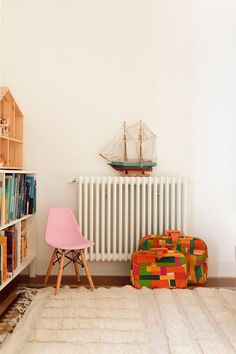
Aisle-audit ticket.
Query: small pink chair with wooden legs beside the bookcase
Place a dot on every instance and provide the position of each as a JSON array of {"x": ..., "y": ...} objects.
[{"x": 63, "y": 233}]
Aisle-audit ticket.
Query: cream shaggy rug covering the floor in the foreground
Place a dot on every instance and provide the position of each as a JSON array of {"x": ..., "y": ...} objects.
[{"x": 127, "y": 321}]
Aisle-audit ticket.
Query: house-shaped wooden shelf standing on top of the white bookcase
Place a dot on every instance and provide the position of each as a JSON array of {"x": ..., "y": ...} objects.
[{"x": 11, "y": 131}]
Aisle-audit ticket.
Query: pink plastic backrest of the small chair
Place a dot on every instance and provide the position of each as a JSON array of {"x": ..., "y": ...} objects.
[{"x": 62, "y": 227}]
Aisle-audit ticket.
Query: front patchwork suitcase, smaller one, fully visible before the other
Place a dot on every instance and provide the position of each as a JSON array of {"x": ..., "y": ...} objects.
[{"x": 158, "y": 268}]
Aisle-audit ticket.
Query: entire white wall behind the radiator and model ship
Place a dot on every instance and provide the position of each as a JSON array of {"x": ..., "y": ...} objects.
[{"x": 79, "y": 68}]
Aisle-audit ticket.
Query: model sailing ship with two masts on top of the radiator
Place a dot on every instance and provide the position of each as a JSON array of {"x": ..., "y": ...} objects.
[{"x": 133, "y": 151}]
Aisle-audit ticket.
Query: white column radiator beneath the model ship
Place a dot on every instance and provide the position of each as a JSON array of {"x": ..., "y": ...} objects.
[{"x": 115, "y": 212}]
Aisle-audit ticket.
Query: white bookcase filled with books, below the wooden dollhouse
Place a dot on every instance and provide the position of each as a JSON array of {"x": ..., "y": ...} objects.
[{"x": 17, "y": 209}]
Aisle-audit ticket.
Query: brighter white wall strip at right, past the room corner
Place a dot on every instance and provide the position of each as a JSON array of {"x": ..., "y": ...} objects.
[{"x": 214, "y": 117}]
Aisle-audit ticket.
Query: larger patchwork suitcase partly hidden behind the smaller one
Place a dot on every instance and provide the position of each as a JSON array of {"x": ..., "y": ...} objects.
[{"x": 193, "y": 248}]
